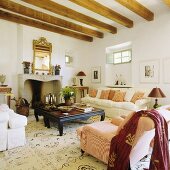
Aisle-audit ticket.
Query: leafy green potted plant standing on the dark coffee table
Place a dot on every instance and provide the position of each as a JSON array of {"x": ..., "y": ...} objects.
[{"x": 67, "y": 93}]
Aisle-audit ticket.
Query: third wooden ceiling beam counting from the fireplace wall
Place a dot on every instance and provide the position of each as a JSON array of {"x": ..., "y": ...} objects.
[{"x": 67, "y": 12}]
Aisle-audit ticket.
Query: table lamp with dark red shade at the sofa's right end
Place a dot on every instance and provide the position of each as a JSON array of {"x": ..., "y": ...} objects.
[{"x": 156, "y": 93}]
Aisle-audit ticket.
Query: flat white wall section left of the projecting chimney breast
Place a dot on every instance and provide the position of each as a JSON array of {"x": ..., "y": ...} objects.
[{"x": 8, "y": 53}]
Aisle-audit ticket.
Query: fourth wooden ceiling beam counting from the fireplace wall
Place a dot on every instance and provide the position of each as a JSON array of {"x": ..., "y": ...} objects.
[{"x": 104, "y": 11}]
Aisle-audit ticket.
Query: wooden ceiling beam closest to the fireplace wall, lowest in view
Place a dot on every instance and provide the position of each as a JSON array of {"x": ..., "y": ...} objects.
[{"x": 33, "y": 23}]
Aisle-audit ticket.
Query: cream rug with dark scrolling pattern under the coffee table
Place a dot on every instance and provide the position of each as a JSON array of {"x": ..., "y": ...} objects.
[{"x": 46, "y": 150}]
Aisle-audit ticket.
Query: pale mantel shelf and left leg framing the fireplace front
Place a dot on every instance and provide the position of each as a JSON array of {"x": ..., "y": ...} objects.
[{"x": 22, "y": 78}]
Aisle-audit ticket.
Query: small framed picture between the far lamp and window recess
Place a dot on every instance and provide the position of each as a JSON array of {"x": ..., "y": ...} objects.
[{"x": 95, "y": 75}]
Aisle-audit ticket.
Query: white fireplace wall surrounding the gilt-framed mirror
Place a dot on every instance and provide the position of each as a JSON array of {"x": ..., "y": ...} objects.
[{"x": 16, "y": 46}]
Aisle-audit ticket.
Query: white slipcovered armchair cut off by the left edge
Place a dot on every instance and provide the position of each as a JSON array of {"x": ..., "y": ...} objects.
[{"x": 12, "y": 128}]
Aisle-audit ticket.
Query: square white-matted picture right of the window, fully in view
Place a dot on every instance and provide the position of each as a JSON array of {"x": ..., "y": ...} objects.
[{"x": 149, "y": 71}]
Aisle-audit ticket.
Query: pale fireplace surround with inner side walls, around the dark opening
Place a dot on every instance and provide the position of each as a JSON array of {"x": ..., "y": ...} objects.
[{"x": 52, "y": 83}]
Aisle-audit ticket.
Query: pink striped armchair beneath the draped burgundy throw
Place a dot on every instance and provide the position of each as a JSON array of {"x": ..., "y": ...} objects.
[{"x": 95, "y": 138}]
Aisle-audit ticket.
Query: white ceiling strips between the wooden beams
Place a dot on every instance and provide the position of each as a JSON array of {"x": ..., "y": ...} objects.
[{"x": 158, "y": 7}]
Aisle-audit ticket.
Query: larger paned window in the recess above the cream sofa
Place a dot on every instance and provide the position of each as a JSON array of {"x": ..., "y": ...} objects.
[{"x": 124, "y": 56}]
